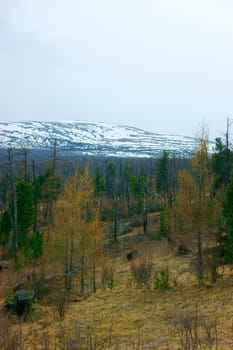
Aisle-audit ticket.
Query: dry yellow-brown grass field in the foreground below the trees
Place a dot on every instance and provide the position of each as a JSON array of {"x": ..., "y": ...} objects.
[{"x": 124, "y": 314}]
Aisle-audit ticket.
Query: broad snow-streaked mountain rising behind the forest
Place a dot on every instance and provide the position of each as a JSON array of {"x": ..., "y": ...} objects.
[{"x": 92, "y": 139}]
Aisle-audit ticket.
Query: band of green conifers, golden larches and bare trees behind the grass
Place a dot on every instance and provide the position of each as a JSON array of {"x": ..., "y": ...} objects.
[{"x": 66, "y": 210}]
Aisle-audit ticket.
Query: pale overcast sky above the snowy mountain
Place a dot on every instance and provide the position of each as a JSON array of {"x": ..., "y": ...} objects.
[{"x": 160, "y": 65}]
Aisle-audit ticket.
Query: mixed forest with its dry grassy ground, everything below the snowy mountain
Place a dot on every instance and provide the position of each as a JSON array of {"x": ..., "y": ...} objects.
[{"x": 117, "y": 253}]
